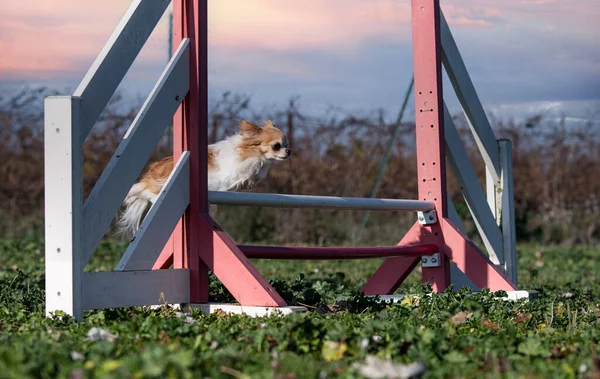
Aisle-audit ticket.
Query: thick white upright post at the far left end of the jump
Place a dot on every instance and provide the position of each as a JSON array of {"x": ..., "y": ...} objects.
[{"x": 63, "y": 198}]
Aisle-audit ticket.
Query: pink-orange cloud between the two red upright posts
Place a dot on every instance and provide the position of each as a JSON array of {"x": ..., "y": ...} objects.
[{"x": 295, "y": 24}]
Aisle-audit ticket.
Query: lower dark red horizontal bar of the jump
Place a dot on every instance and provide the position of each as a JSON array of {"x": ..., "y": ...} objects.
[{"x": 307, "y": 253}]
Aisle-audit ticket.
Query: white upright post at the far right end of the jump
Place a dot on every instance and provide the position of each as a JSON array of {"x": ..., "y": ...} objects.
[{"x": 508, "y": 210}]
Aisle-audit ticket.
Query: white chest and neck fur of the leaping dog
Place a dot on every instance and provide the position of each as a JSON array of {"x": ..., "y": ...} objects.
[{"x": 231, "y": 174}]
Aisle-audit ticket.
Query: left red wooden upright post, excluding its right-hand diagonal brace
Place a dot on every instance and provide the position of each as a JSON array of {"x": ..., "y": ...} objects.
[{"x": 190, "y": 133}]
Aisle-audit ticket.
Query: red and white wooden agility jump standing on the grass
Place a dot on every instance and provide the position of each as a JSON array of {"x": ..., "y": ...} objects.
[{"x": 179, "y": 232}]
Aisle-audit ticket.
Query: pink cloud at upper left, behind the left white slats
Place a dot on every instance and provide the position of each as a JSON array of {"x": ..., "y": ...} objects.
[{"x": 50, "y": 37}]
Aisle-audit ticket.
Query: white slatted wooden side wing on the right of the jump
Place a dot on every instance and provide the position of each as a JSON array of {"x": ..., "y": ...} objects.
[{"x": 492, "y": 209}]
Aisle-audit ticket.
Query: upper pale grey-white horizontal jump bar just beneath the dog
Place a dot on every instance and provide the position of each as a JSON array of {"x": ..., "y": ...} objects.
[{"x": 306, "y": 201}]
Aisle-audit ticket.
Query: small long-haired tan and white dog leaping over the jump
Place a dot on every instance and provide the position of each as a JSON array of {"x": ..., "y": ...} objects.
[{"x": 239, "y": 161}]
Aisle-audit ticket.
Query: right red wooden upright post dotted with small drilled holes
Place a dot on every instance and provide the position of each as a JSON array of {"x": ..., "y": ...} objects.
[{"x": 431, "y": 162}]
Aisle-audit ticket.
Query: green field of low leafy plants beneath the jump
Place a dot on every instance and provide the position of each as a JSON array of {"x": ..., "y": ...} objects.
[{"x": 452, "y": 335}]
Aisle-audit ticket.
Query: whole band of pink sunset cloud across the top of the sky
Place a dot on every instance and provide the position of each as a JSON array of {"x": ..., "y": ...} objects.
[{"x": 41, "y": 38}]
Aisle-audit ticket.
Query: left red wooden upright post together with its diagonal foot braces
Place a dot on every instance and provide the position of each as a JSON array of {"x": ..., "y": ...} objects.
[{"x": 197, "y": 243}]
